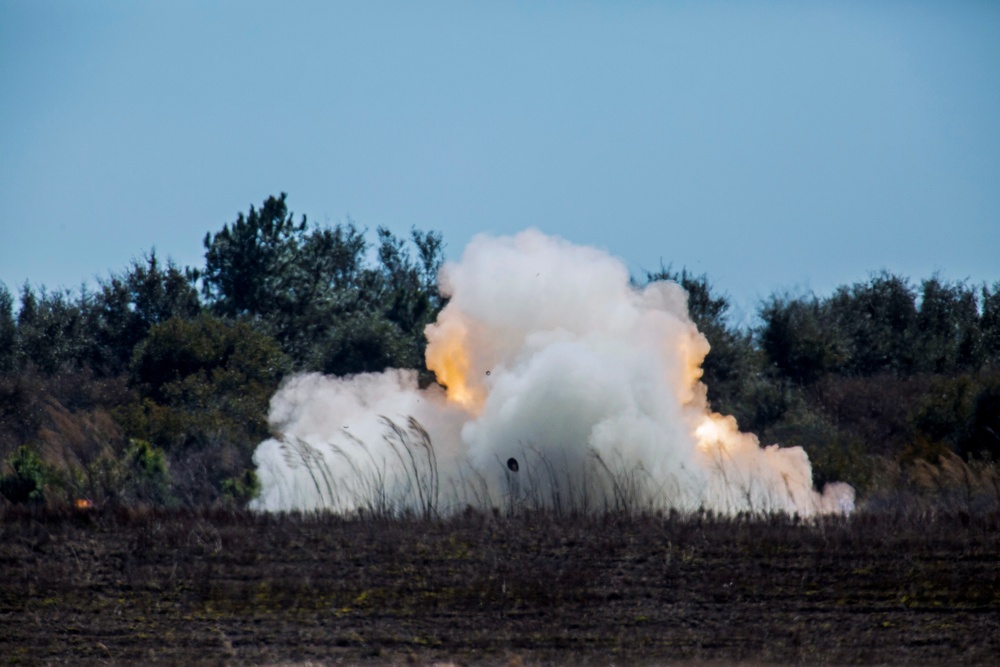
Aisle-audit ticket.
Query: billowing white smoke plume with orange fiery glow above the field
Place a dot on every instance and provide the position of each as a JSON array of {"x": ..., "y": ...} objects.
[{"x": 566, "y": 387}]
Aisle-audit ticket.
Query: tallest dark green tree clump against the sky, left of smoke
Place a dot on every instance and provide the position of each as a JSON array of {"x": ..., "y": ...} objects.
[{"x": 315, "y": 292}]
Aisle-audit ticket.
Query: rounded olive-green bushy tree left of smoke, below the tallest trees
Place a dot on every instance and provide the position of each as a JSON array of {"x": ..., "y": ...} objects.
[{"x": 205, "y": 385}]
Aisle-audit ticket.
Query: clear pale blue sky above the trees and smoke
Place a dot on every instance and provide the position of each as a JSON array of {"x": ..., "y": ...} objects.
[{"x": 772, "y": 145}]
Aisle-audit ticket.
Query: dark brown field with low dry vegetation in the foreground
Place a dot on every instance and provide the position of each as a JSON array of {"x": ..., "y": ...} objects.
[{"x": 197, "y": 588}]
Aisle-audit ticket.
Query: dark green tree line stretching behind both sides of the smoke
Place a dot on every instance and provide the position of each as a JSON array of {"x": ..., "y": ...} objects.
[{"x": 153, "y": 388}]
